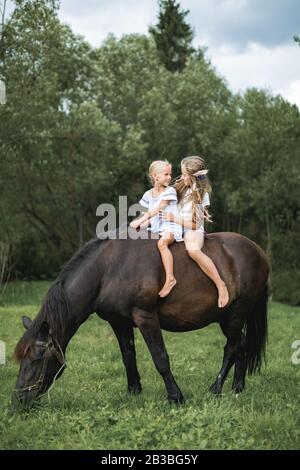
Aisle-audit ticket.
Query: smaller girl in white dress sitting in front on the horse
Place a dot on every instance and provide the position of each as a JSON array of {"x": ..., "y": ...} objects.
[{"x": 161, "y": 196}]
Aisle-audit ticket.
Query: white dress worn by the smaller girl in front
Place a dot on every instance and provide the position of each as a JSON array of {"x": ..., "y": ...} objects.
[{"x": 162, "y": 226}]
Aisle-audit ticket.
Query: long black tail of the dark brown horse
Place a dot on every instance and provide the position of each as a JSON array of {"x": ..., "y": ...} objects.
[{"x": 256, "y": 333}]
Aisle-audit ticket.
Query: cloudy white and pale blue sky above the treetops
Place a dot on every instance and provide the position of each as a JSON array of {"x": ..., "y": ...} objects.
[{"x": 250, "y": 42}]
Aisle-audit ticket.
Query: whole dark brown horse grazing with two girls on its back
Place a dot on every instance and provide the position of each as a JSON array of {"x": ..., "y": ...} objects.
[{"x": 120, "y": 279}]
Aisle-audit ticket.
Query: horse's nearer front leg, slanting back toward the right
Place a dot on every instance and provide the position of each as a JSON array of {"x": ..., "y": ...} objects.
[{"x": 149, "y": 326}]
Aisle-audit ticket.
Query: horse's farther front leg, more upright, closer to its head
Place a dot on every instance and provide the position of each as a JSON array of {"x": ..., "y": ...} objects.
[{"x": 125, "y": 337}]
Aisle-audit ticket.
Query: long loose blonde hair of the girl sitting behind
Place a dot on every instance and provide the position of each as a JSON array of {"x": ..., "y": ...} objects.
[{"x": 199, "y": 185}]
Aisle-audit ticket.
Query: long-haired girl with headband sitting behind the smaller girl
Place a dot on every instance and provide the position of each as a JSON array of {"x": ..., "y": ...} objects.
[{"x": 193, "y": 190}]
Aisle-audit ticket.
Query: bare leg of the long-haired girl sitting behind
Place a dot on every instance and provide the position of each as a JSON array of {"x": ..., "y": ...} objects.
[{"x": 194, "y": 242}]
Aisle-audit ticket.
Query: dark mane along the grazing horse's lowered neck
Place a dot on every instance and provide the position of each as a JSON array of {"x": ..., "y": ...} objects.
[{"x": 55, "y": 307}]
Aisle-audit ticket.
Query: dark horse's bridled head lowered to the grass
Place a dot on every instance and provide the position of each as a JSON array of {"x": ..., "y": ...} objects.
[{"x": 41, "y": 362}]
